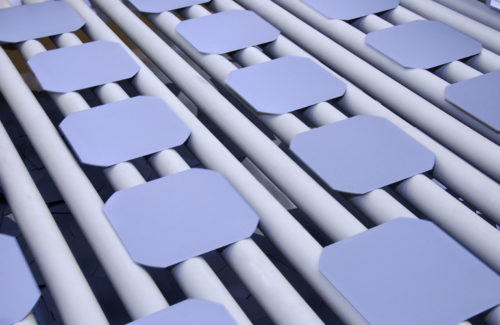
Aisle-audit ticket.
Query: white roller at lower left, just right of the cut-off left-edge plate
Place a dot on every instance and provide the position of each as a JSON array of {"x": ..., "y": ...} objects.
[{"x": 76, "y": 303}]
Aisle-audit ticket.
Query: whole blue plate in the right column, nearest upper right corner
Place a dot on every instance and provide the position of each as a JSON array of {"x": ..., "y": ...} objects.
[{"x": 423, "y": 44}]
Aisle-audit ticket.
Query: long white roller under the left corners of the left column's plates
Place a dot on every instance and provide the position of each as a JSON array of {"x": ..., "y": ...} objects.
[{"x": 134, "y": 286}]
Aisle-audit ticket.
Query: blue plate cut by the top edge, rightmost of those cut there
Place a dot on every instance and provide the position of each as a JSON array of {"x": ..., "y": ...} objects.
[{"x": 350, "y": 9}]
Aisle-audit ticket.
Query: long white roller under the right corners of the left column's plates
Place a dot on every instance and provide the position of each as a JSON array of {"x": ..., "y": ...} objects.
[{"x": 298, "y": 246}]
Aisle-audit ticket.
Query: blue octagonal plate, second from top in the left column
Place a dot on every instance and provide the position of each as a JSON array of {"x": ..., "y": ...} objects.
[{"x": 82, "y": 66}]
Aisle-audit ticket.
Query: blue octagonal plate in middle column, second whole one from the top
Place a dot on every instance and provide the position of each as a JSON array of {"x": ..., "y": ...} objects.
[{"x": 284, "y": 85}]
